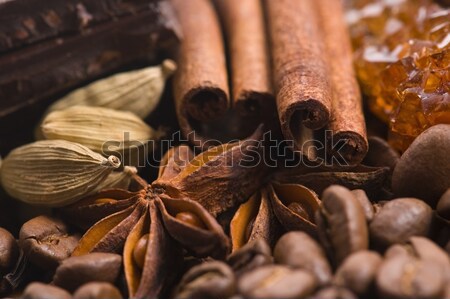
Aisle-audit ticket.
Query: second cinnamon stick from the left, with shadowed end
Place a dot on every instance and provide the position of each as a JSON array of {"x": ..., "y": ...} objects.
[{"x": 243, "y": 22}]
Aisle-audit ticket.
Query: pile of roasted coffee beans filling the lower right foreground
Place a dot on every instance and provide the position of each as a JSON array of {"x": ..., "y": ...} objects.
[{"x": 363, "y": 250}]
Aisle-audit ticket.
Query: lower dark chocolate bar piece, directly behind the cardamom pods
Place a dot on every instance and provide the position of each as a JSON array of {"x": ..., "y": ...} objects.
[{"x": 39, "y": 71}]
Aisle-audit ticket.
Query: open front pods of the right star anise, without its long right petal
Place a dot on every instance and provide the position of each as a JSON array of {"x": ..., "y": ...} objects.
[{"x": 273, "y": 209}]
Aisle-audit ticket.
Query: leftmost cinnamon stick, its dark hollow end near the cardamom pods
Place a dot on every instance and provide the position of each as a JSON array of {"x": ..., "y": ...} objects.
[{"x": 201, "y": 82}]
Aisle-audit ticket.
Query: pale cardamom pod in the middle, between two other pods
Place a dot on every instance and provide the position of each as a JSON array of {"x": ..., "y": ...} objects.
[{"x": 103, "y": 130}]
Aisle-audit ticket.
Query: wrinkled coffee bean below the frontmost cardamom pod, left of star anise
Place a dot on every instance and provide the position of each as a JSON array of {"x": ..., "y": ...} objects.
[{"x": 46, "y": 241}]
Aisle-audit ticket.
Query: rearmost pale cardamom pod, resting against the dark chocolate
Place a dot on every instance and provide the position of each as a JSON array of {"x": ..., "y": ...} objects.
[{"x": 135, "y": 91}]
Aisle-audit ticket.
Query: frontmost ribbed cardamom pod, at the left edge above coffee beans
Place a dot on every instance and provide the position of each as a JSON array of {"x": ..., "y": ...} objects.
[{"x": 54, "y": 172}]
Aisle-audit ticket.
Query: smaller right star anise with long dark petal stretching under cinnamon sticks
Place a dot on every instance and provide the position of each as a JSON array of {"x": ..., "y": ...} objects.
[{"x": 289, "y": 201}]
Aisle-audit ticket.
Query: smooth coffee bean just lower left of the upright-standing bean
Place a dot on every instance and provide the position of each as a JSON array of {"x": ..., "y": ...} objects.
[{"x": 299, "y": 250}]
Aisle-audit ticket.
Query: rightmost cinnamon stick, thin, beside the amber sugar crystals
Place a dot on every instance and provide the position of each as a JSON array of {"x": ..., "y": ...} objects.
[{"x": 347, "y": 122}]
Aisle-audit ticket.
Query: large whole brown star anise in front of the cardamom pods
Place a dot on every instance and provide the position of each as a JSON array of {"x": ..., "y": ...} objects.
[{"x": 150, "y": 226}]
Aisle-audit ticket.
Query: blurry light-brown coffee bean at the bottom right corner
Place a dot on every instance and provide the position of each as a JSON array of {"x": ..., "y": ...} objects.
[{"x": 402, "y": 277}]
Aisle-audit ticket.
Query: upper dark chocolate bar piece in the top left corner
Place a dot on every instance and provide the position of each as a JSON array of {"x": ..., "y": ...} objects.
[{"x": 23, "y": 22}]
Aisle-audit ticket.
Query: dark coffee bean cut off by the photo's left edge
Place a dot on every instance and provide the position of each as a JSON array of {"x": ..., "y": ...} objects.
[{"x": 9, "y": 252}]
